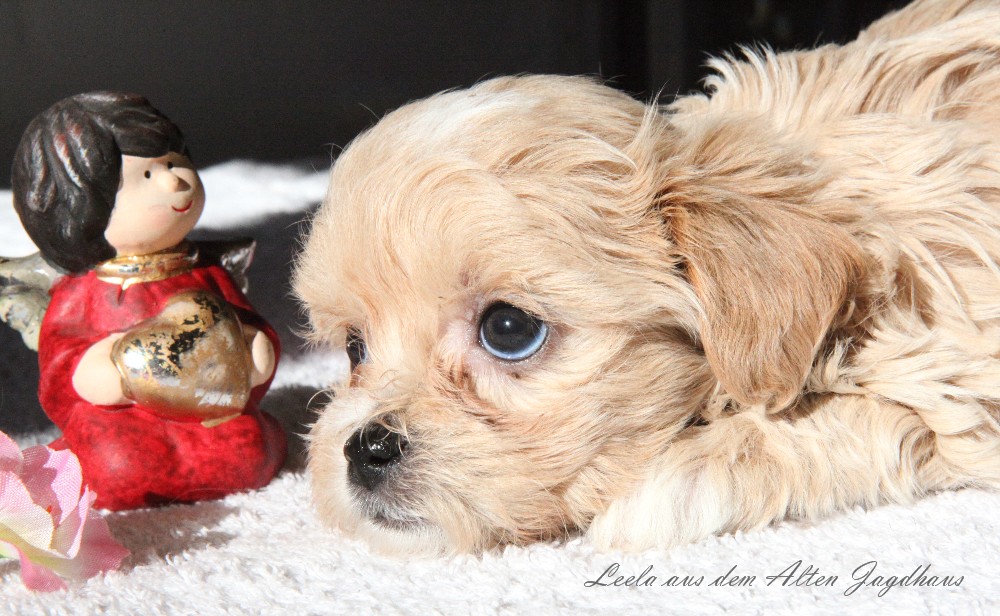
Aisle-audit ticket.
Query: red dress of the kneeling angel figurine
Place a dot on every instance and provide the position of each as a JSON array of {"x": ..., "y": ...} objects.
[{"x": 131, "y": 456}]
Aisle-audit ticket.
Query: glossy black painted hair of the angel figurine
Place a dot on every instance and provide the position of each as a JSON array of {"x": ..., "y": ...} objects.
[{"x": 67, "y": 170}]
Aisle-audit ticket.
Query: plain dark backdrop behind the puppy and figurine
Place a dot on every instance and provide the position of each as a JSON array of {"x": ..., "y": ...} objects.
[{"x": 292, "y": 81}]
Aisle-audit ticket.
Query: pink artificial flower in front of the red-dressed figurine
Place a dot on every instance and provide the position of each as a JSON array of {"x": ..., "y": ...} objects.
[{"x": 46, "y": 520}]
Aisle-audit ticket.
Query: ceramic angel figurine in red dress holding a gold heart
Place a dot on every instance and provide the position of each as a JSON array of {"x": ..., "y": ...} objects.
[{"x": 152, "y": 360}]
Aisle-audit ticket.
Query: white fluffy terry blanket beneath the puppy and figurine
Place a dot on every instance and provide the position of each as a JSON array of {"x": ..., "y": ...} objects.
[{"x": 265, "y": 552}]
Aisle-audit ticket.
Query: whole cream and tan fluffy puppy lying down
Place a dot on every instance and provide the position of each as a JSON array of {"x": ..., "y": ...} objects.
[{"x": 569, "y": 312}]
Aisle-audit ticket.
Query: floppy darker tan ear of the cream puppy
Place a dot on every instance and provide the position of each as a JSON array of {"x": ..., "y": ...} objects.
[{"x": 773, "y": 272}]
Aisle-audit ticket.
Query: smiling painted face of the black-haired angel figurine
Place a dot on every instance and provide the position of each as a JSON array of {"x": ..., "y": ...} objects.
[{"x": 159, "y": 201}]
